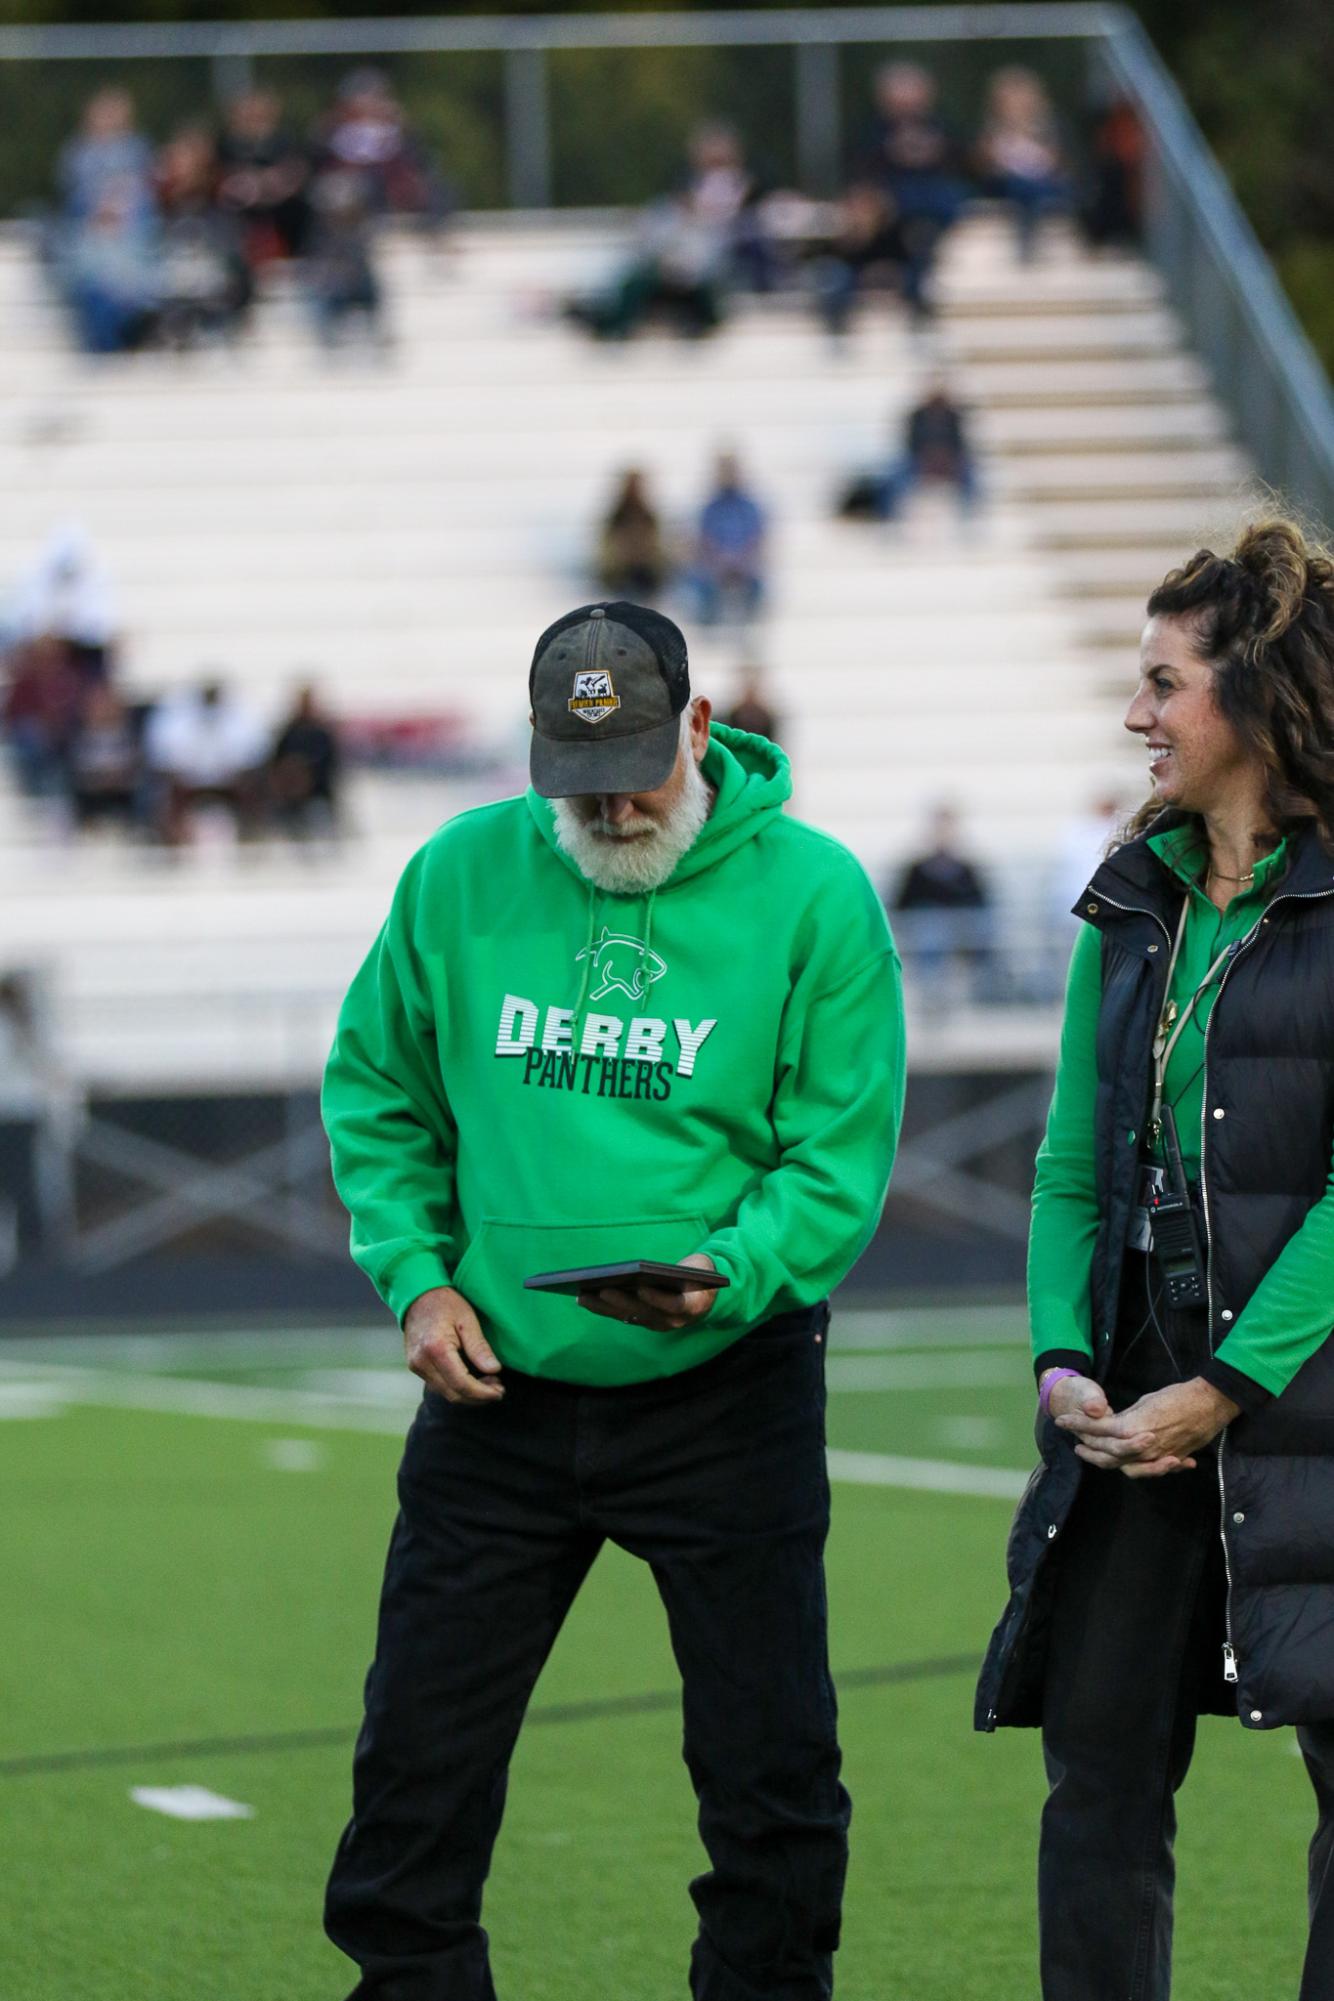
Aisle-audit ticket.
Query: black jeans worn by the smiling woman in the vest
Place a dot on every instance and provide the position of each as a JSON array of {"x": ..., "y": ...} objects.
[{"x": 1135, "y": 1660}]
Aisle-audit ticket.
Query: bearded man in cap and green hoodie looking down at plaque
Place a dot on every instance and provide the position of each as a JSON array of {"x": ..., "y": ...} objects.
[{"x": 639, "y": 1014}]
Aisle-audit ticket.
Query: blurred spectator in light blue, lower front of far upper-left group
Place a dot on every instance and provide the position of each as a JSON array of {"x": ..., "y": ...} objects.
[{"x": 111, "y": 273}]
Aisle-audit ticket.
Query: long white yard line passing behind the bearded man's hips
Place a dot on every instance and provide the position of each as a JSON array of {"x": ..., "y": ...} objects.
[{"x": 187, "y": 1398}]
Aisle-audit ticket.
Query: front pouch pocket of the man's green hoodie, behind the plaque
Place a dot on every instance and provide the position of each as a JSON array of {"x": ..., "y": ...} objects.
[{"x": 547, "y": 1334}]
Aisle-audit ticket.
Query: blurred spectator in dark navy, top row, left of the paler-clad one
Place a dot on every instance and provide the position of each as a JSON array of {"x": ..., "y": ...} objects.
[{"x": 919, "y": 161}]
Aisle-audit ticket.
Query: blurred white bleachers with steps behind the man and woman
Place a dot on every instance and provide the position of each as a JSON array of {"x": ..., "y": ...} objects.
[{"x": 401, "y": 527}]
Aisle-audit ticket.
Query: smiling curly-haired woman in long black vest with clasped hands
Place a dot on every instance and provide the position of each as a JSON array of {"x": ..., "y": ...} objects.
[{"x": 1177, "y": 1552}]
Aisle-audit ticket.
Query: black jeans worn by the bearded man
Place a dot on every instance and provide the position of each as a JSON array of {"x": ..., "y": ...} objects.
[{"x": 717, "y": 1480}]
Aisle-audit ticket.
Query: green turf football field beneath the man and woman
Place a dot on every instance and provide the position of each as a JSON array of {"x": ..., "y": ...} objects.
[{"x": 193, "y": 1540}]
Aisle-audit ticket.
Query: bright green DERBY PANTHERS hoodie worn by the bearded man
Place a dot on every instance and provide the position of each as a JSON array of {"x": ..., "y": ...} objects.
[{"x": 533, "y": 1074}]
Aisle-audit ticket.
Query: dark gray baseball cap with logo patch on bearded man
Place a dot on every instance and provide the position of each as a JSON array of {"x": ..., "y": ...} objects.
[{"x": 609, "y": 685}]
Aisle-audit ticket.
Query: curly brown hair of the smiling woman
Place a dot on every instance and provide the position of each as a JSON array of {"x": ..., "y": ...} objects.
[{"x": 1265, "y": 619}]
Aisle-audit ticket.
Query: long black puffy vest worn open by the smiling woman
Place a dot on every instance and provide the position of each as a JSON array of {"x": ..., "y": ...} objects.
[{"x": 1267, "y": 1146}]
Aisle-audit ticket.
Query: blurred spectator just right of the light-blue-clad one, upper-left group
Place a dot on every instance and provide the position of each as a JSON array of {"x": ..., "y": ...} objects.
[{"x": 205, "y": 277}]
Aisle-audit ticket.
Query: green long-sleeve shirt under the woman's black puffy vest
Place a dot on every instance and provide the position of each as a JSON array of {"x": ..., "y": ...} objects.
[{"x": 1291, "y": 1312}]
